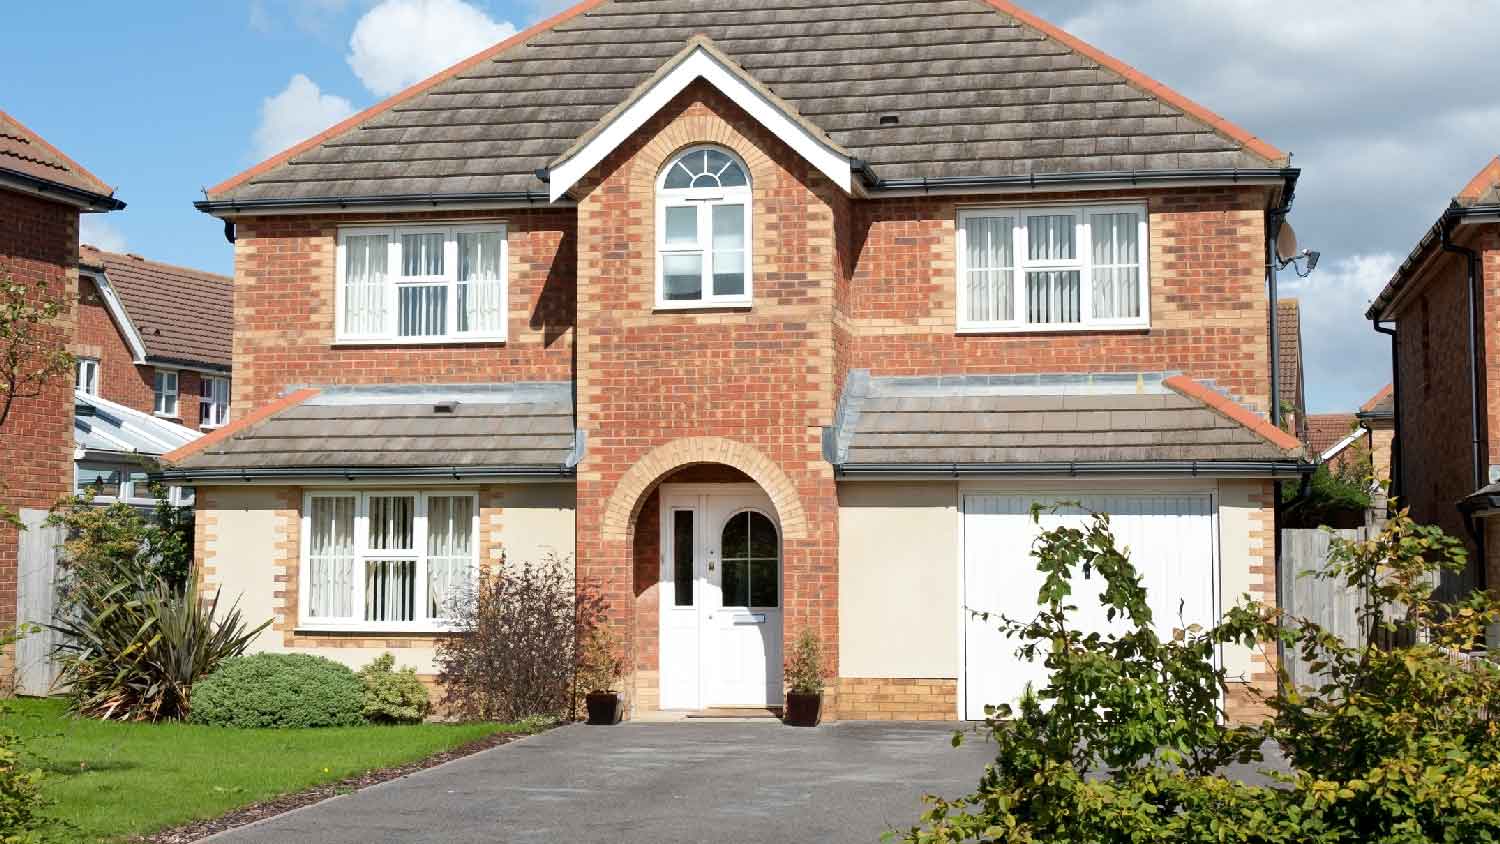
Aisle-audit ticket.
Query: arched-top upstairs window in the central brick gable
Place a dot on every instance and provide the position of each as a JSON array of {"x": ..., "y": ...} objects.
[{"x": 704, "y": 232}]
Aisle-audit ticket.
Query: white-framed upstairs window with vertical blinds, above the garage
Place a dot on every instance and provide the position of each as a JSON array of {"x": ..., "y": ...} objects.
[{"x": 1054, "y": 269}]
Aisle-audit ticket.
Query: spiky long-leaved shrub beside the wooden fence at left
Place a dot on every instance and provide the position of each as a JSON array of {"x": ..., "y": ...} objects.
[{"x": 134, "y": 651}]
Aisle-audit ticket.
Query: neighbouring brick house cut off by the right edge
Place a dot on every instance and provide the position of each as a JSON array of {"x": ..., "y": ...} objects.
[{"x": 1441, "y": 311}]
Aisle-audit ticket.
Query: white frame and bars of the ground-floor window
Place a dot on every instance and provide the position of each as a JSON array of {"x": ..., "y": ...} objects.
[{"x": 364, "y": 554}]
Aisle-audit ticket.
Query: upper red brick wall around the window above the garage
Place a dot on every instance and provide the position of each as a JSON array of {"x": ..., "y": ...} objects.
[{"x": 1208, "y": 295}]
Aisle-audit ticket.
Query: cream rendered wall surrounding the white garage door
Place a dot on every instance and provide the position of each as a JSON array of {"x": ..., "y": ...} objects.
[{"x": 901, "y": 566}]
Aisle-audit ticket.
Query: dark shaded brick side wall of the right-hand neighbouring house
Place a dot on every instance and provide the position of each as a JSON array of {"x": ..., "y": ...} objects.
[{"x": 1433, "y": 355}]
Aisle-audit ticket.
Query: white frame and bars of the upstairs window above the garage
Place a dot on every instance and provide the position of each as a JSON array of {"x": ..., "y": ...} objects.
[{"x": 1082, "y": 263}]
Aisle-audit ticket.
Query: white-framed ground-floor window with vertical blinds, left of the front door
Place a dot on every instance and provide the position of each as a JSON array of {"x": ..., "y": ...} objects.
[{"x": 386, "y": 560}]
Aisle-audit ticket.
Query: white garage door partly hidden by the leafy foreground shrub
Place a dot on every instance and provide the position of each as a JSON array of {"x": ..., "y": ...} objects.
[{"x": 1171, "y": 540}]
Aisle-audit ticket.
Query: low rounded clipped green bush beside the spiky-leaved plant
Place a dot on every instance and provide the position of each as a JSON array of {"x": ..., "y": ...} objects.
[{"x": 280, "y": 690}]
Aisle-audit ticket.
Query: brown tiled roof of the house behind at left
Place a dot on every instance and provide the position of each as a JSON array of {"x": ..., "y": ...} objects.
[{"x": 179, "y": 316}]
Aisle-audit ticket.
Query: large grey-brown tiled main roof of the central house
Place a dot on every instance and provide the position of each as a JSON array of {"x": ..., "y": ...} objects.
[{"x": 979, "y": 88}]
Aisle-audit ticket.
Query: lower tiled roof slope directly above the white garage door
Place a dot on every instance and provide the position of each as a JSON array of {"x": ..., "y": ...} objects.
[{"x": 1052, "y": 425}]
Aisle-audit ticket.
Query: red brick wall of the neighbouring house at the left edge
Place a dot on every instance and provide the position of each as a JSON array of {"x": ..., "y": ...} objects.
[{"x": 38, "y": 245}]
